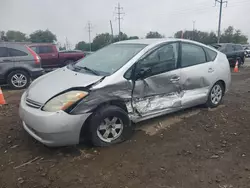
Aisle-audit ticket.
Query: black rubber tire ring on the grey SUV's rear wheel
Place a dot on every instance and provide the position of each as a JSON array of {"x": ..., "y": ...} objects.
[{"x": 25, "y": 75}]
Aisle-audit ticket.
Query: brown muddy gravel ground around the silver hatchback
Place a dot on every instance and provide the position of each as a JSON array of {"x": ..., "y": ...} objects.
[{"x": 207, "y": 148}]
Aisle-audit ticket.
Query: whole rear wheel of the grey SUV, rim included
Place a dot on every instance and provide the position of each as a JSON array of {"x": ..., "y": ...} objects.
[{"x": 18, "y": 79}]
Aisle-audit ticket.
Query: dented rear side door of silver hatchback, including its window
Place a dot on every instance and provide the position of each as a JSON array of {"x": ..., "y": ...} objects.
[{"x": 197, "y": 75}]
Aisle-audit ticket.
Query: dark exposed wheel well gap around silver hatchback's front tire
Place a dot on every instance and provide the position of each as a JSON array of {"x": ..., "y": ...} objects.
[{"x": 85, "y": 126}]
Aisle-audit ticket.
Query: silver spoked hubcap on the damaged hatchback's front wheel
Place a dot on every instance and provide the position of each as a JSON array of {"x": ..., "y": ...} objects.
[{"x": 110, "y": 129}]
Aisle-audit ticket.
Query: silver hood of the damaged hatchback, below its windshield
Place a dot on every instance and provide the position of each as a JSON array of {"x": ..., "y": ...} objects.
[{"x": 49, "y": 85}]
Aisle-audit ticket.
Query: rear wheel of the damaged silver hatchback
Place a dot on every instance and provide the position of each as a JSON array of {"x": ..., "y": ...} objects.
[{"x": 211, "y": 101}]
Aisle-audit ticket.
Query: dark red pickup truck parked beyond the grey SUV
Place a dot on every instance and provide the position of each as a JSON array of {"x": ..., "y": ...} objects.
[{"x": 52, "y": 58}]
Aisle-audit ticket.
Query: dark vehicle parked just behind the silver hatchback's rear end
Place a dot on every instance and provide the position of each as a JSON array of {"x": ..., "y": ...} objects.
[{"x": 234, "y": 52}]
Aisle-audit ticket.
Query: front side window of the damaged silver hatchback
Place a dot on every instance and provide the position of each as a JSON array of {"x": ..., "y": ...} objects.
[{"x": 161, "y": 60}]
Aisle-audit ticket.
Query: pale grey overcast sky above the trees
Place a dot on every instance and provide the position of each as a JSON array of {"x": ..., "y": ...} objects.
[{"x": 68, "y": 18}]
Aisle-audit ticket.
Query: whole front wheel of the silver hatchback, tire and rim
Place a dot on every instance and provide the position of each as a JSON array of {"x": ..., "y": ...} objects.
[{"x": 102, "y": 131}]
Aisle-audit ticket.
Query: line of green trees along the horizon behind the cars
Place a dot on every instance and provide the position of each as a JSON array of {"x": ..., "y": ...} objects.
[{"x": 229, "y": 35}]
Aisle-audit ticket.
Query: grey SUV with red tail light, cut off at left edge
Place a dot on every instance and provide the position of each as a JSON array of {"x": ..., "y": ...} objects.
[{"x": 18, "y": 65}]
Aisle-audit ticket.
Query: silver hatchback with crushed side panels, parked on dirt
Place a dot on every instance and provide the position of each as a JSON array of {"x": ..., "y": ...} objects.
[{"x": 100, "y": 97}]
